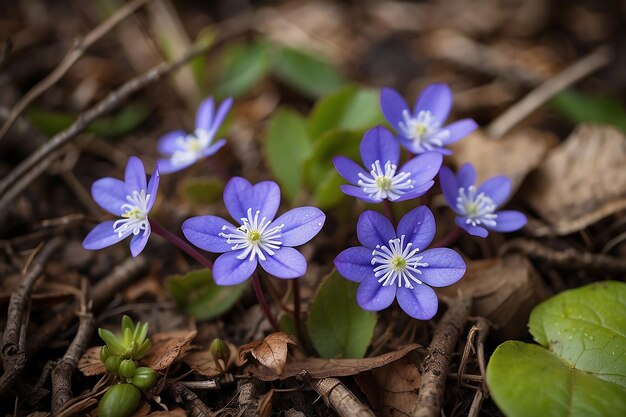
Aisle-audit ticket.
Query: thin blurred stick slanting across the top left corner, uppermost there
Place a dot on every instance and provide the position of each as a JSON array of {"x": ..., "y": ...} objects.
[{"x": 73, "y": 55}]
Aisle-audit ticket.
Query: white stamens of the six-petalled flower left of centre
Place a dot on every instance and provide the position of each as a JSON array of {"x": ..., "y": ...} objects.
[{"x": 254, "y": 236}]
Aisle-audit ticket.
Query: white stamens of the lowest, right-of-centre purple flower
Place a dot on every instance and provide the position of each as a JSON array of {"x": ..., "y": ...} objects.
[{"x": 397, "y": 262}]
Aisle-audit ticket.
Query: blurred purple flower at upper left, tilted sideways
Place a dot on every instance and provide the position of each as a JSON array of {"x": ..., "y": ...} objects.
[{"x": 183, "y": 149}]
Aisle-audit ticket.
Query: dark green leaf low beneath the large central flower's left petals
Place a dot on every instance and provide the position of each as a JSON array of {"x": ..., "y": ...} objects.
[{"x": 198, "y": 295}]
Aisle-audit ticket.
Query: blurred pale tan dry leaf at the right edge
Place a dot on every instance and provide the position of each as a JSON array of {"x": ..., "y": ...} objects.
[{"x": 582, "y": 180}]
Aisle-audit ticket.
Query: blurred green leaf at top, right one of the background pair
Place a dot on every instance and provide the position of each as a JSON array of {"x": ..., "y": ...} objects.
[{"x": 309, "y": 74}]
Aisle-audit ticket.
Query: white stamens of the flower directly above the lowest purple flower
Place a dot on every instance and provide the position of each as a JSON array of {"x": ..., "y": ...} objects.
[{"x": 385, "y": 184}]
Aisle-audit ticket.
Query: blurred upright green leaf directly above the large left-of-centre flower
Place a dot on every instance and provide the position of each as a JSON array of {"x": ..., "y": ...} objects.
[{"x": 286, "y": 146}]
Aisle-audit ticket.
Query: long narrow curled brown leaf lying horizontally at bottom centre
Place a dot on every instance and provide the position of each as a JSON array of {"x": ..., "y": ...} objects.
[{"x": 325, "y": 368}]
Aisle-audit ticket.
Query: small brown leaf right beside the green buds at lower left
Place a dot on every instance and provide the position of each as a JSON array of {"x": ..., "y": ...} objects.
[{"x": 166, "y": 347}]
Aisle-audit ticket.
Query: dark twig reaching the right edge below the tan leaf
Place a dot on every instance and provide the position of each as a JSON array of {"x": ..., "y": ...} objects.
[{"x": 566, "y": 259}]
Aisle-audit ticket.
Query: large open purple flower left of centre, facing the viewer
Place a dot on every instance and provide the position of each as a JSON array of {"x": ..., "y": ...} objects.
[{"x": 260, "y": 238}]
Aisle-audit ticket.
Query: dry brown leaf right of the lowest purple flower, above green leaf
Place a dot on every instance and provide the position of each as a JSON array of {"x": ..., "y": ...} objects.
[{"x": 504, "y": 290}]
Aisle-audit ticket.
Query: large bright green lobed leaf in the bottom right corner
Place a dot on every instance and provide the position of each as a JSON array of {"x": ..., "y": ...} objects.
[{"x": 582, "y": 372}]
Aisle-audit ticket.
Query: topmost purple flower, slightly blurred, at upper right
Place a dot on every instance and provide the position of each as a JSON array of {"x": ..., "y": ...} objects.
[{"x": 423, "y": 130}]
